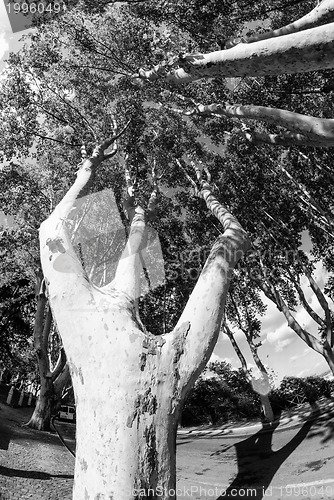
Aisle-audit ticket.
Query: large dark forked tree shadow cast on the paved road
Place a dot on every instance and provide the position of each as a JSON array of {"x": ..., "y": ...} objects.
[{"x": 258, "y": 463}]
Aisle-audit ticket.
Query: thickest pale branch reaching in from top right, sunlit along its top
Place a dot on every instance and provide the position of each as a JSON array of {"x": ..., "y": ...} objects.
[{"x": 309, "y": 50}]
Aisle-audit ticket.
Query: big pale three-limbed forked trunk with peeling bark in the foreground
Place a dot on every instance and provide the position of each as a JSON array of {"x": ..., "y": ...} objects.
[{"x": 130, "y": 385}]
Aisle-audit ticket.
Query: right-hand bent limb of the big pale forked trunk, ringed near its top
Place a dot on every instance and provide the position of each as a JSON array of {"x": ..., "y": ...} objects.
[{"x": 198, "y": 328}]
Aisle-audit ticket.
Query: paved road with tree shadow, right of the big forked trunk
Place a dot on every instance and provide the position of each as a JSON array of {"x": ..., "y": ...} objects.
[{"x": 288, "y": 463}]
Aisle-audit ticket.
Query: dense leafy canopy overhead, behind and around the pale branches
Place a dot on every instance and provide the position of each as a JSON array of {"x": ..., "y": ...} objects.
[{"x": 90, "y": 54}]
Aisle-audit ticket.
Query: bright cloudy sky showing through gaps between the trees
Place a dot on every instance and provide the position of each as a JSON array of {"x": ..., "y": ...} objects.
[{"x": 282, "y": 350}]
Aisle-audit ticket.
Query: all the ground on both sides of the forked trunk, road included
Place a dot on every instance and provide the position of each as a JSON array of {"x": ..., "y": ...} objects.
[{"x": 298, "y": 451}]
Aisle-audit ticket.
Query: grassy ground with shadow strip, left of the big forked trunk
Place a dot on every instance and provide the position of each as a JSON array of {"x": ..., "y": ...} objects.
[{"x": 32, "y": 464}]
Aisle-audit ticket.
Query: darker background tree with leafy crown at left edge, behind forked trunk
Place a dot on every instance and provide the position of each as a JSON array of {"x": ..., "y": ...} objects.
[{"x": 23, "y": 196}]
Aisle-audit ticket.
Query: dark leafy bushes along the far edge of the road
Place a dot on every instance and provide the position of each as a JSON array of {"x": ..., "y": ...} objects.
[{"x": 228, "y": 396}]
